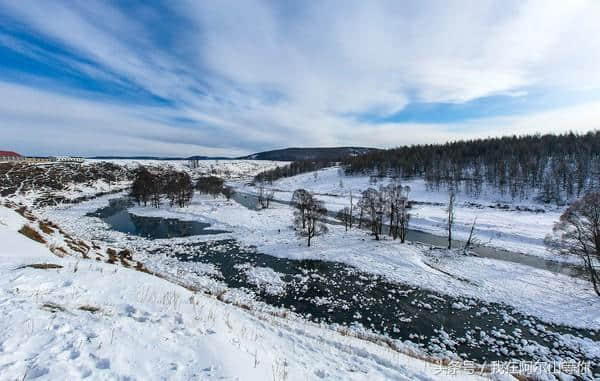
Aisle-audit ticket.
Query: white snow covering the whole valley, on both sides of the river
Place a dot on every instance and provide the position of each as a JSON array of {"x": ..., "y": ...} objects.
[{"x": 163, "y": 330}]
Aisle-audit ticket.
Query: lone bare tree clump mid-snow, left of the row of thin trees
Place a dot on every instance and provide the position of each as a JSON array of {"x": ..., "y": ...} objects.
[{"x": 309, "y": 216}]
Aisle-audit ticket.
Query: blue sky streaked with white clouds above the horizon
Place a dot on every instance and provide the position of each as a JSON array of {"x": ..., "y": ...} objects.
[{"x": 236, "y": 77}]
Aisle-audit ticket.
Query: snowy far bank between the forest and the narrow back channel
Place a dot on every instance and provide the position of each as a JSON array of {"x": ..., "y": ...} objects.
[{"x": 514, "y": 230}]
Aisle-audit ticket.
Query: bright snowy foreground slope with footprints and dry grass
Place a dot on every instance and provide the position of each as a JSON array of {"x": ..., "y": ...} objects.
[{"x": 94, "y": 320}]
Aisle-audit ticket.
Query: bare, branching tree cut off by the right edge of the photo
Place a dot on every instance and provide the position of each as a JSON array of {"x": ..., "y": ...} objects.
[{"x": 578, "y": 232}]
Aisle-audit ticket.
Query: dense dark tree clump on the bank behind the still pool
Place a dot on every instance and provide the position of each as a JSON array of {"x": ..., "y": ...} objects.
[{"x": 152, "y": 187}]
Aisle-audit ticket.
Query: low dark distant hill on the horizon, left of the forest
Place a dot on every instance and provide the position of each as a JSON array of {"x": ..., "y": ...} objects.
[{"x": 318, "y": 153}]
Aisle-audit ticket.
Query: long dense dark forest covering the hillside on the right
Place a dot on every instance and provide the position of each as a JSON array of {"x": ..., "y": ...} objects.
[{"x": 553, "y": 168}]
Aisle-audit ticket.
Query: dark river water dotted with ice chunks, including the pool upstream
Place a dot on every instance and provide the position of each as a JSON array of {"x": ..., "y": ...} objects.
[{"x": 333, "y": 292}]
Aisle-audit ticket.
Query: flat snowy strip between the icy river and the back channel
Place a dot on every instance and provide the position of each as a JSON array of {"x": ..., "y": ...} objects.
[{"x": 554, "y": 298}]
